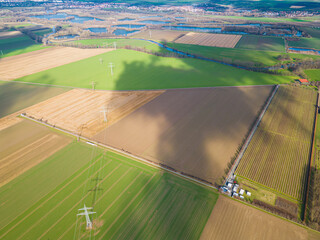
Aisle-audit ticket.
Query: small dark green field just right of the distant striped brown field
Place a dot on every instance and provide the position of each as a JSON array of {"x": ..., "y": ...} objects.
[{"x": 261, "y": 43}]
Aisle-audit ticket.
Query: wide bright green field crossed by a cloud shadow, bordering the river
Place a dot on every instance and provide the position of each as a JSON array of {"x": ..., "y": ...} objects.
[{"x": 135, "y": 70}]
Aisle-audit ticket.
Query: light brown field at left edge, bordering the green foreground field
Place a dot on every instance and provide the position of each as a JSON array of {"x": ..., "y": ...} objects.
[{"x": 24, "y": 145}]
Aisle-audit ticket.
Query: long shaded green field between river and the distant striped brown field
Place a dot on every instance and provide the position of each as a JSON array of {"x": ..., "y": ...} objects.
[{"x": 237, "y": 56}]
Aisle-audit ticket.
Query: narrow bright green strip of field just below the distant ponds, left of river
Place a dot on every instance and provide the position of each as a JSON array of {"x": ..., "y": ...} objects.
[{"x": 121, "y": 43}]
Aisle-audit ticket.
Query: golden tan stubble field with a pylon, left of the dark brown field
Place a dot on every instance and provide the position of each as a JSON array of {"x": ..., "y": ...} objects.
[{"x": 79, "y": 110}]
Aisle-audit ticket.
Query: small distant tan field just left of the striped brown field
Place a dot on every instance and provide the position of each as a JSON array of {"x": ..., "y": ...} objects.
[{"x": 160, "y": 35}]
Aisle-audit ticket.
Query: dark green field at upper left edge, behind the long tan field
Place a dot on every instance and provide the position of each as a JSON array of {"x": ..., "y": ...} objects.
[{"x": 18, "y": 45}]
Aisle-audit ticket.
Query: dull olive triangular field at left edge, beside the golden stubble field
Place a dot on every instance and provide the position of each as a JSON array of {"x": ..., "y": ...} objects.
[{"x": 17, "y": 96}]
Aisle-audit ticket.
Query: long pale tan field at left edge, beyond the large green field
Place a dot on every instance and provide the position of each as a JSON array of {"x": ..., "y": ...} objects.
[{"x": 36, "y": 61}]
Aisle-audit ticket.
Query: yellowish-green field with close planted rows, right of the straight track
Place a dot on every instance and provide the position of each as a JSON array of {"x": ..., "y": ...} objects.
[{"x": 278, "y": 153}]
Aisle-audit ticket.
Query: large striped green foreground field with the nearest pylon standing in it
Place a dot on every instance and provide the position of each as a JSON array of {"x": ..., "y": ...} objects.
[{"x": 131, "y": 199}]
